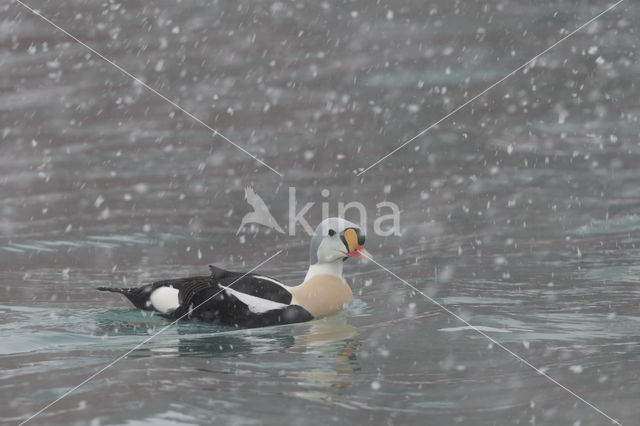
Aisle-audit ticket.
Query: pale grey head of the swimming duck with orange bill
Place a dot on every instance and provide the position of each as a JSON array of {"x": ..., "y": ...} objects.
[{"x": 336, "y": 239}]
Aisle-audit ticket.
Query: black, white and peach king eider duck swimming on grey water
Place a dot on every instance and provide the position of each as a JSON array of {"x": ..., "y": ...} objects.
[{"x": 254, "y": 300}]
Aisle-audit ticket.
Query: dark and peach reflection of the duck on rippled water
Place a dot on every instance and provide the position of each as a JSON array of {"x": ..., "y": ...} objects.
[{"x": 322, "y": 354}]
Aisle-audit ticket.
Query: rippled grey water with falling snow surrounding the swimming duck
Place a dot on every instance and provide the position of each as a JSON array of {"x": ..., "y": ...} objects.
[{"x": 520, "y": 212}]
